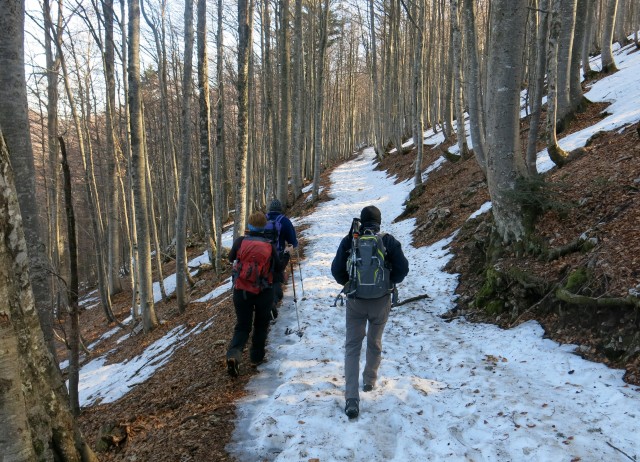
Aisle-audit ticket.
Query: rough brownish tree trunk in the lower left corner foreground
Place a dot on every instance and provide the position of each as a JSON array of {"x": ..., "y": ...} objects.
[{"x": 37, "y": 423}]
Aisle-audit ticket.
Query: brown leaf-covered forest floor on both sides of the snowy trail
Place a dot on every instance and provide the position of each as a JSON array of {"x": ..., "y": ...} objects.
[{"x": 186, "y": 410}]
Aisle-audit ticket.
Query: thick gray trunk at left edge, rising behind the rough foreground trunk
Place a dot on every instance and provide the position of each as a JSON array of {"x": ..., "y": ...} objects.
[{"x": 14, "y": 120}]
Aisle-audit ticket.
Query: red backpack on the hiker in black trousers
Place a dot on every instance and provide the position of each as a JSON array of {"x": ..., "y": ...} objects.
[{"x": 252, "y": 267}]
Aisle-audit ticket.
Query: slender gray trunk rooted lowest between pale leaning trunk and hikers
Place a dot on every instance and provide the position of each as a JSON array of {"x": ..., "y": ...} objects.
[{"x": 185, "y": 171}]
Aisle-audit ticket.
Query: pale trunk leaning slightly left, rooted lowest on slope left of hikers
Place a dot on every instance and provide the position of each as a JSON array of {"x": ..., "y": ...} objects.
[{"x": 138, "y": 163}]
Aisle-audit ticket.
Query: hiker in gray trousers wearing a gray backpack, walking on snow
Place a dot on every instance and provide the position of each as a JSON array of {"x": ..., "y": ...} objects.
[{"x": 369, "y": 264}]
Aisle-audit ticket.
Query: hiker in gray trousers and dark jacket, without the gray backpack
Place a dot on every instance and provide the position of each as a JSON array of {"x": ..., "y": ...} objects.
[{"x": 366, "y": 316}]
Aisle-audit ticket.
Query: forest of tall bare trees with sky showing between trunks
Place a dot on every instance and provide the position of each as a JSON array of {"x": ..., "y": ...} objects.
[{"x": 165, "y": 151}]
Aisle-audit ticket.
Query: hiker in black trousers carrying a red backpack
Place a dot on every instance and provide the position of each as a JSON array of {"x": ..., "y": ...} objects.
[{"x": 255, "y": 261}]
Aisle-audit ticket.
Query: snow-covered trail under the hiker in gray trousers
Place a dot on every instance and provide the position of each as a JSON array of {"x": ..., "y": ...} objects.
[{"x": 447, "y": 390}]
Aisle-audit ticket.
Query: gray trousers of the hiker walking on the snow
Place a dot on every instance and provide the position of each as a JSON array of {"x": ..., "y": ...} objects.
[{"x": 364, "y": 317}]
